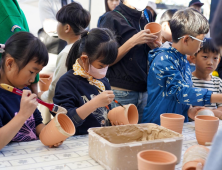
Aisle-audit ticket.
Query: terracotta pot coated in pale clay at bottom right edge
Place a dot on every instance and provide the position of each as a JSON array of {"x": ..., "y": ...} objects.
[{"x": 193, "y": 156}]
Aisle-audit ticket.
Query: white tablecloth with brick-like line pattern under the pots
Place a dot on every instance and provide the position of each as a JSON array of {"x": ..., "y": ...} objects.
[{"x": 72, "y": 155}]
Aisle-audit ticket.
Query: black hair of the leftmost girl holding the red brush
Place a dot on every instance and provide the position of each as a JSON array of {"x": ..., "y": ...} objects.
[{"x": 24, "y": 47}]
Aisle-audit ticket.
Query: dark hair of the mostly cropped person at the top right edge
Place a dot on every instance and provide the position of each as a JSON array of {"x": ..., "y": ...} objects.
[{"x": 216, "y": 27}]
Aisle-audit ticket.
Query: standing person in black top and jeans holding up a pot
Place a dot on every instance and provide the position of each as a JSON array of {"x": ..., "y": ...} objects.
[{"x": 128, "y": 74}]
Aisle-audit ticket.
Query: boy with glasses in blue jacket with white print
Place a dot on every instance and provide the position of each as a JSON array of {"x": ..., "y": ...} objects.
[{"x": 169, "y": 82}]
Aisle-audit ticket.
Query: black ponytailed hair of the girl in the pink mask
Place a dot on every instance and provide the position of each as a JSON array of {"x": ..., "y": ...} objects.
[{"x": 99, "y": 43}]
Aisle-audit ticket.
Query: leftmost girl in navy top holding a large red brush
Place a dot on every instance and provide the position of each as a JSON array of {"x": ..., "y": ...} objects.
[{"x": 23, "y": 57}]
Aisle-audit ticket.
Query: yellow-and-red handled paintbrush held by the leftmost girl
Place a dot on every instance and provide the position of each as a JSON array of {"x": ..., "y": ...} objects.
[{"x": 52, "y": 107}]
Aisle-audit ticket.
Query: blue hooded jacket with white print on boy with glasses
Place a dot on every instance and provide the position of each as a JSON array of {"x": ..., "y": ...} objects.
[{"x": 169, "y": 86}]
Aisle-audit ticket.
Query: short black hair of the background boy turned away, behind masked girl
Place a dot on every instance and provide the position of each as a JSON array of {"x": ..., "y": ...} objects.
[{"x": 74, "y": 15}]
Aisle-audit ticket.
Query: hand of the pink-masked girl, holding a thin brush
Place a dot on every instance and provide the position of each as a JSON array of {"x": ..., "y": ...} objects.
[{"x": 104, "y": 98}]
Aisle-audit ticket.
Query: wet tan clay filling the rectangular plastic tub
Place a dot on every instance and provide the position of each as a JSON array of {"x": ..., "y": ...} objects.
[{"x": 135, "y": 133}]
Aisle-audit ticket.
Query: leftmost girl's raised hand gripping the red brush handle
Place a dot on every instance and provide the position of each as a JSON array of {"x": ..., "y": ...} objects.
[{"x": 28, "y": 103}]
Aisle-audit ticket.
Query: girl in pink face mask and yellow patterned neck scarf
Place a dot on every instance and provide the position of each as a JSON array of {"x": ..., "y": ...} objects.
[{"x": 79, "y": 89}]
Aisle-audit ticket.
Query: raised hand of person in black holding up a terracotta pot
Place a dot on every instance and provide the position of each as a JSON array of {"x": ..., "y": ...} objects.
[{"x": 143, "y": 37}]
